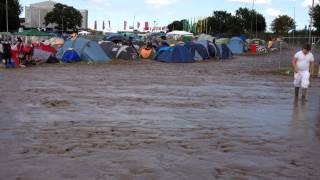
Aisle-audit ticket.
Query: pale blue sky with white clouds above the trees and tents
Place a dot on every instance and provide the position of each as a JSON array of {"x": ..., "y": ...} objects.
[{"x": 166, "y": 11}]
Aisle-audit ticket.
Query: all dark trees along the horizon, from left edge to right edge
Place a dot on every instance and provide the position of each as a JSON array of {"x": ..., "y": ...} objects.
[{"x": 245, "y": 21}]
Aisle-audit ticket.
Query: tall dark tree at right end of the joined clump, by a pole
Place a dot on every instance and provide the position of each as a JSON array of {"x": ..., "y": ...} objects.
[{"x": 251, "y": 20}]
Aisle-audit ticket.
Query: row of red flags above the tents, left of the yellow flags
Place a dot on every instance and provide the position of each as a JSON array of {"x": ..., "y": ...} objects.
[{"x": 125, "y": 26}]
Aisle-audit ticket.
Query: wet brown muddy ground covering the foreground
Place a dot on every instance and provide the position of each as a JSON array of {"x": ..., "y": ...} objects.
[{"x": 150, "y": 120}]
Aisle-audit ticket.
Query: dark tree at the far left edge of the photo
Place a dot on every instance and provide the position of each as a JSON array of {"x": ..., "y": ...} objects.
[{"x": 14, "y": 10}]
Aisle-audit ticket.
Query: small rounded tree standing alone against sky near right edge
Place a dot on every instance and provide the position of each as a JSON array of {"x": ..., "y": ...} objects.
[{"x": 282, "y": 24}]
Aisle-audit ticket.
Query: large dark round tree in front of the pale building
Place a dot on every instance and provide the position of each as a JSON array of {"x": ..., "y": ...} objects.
[{"x": 65, "y": 17}]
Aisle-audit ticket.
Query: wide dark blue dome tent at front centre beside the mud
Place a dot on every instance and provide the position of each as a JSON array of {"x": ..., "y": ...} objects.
[{"x": 174, "y": 54}]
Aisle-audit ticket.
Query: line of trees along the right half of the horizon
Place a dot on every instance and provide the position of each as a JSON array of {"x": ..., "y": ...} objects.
[{"x": 245, "y": 21}]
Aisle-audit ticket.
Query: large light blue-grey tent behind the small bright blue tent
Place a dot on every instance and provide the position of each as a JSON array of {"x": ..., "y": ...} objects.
[{"x": 86, "y": 49}]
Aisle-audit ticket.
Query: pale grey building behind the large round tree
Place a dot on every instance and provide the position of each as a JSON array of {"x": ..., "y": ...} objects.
[{"x": 35, "y": 13}]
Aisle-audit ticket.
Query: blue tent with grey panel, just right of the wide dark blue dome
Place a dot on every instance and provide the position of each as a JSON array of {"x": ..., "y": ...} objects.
[{"x": 199, "y": 52}]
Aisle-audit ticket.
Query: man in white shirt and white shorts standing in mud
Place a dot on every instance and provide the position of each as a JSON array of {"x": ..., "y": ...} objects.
[{"x": 303, "y": 64}]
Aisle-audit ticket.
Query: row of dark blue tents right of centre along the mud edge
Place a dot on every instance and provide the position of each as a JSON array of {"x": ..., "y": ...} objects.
[{"x": 192, "y": 52}]
